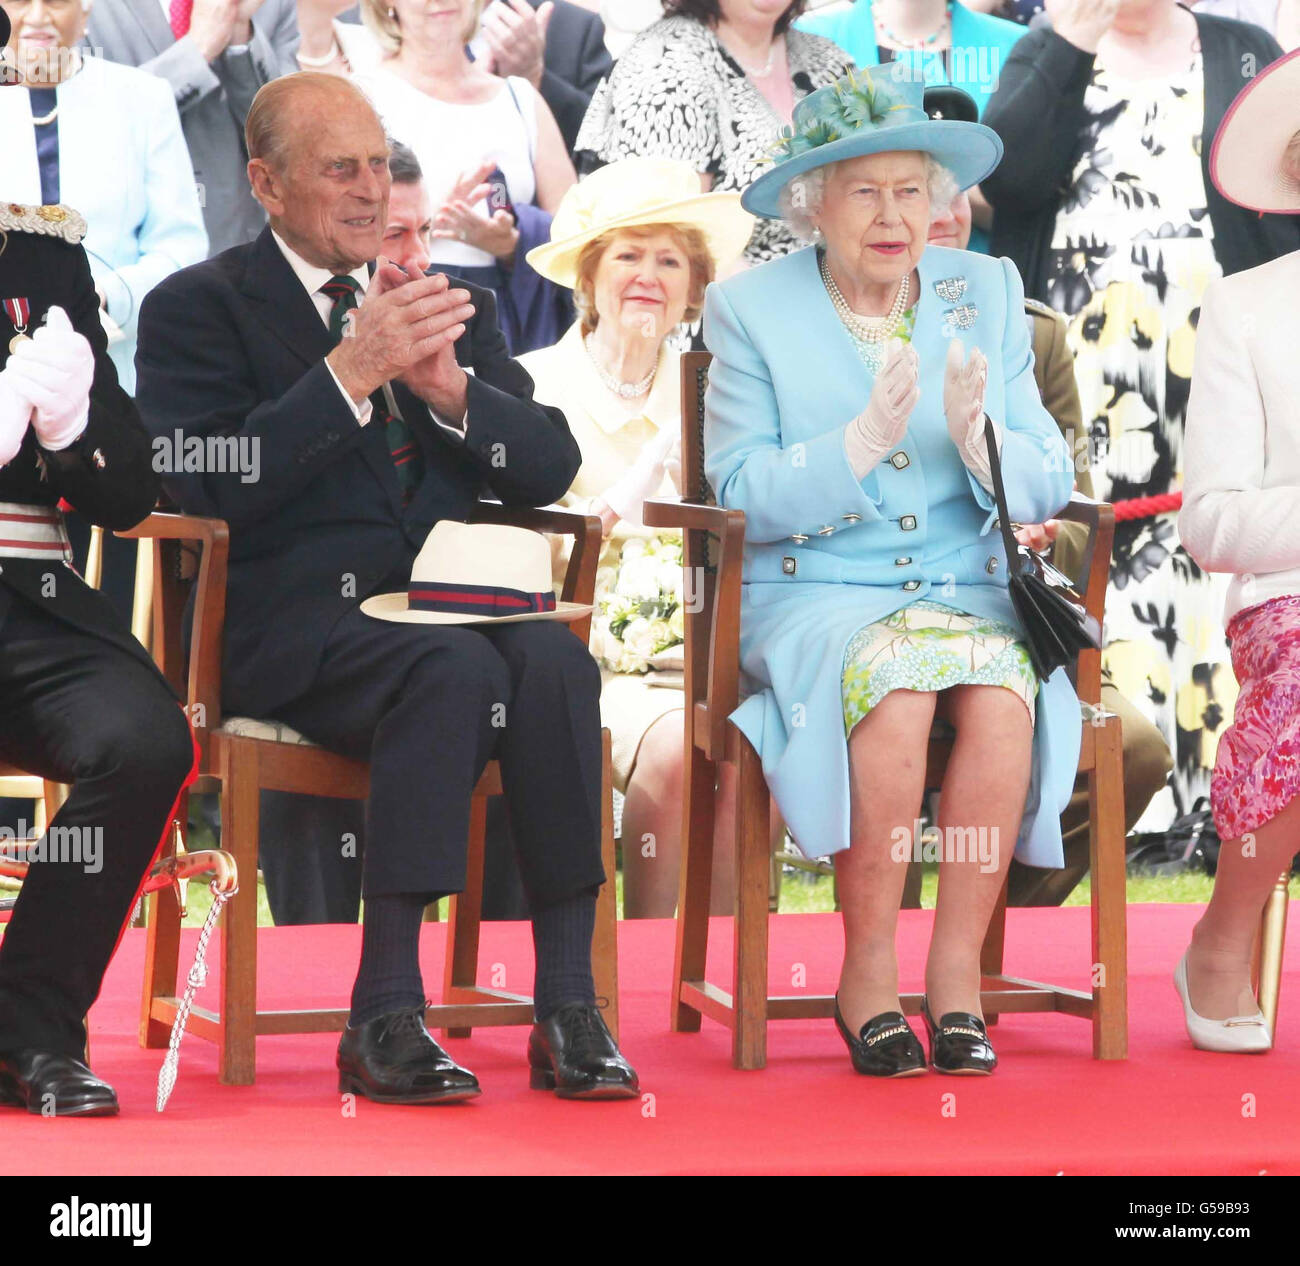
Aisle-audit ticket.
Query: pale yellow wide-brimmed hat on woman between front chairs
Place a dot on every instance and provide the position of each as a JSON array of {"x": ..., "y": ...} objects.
[{"x": 634, "y": 193}]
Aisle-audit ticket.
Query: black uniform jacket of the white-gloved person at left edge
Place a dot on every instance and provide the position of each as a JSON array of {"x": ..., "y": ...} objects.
[{"x": 107, "y": 474}]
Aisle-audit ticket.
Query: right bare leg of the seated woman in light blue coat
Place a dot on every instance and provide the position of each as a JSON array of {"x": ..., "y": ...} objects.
[{"x": 981, "y": 807}]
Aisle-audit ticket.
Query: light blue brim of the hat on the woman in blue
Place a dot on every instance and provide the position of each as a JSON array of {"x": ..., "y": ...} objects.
[{"x": 970, "y": 151}]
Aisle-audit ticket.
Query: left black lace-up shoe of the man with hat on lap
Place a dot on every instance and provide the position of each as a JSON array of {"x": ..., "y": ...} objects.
[{"x": 395, "y": 1060}]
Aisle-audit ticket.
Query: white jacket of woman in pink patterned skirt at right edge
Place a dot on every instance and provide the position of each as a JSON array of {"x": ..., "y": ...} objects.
[{"x": 1242, "y": 453}]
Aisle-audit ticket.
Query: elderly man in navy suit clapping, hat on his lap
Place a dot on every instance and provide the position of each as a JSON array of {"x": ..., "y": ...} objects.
[{"x": 249, "y": 345}]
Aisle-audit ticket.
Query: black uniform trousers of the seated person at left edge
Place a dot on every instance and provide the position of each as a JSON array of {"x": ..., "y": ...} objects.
[{"x": 76, "y": 709}]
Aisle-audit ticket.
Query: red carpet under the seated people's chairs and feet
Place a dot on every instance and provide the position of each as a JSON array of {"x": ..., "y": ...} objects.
[{"x": 1048, "y": 1109}]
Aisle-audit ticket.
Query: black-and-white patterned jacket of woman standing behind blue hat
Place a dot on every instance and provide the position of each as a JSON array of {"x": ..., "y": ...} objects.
[{"x": 678, "y": 94}]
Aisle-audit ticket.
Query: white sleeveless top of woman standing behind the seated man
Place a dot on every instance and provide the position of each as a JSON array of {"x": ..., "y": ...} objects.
[{"x": 452, "y": 140}]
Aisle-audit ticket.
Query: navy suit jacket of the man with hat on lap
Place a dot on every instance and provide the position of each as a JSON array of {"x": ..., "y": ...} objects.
[{"x": 235, "y": 348}]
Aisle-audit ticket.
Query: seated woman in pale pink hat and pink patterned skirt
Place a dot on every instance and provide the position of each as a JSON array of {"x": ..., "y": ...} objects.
[{"x": 1241, "y": 514}]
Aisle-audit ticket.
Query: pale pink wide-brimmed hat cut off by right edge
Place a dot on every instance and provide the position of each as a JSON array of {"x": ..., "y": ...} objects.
[{"x": 1246, "y": 162}]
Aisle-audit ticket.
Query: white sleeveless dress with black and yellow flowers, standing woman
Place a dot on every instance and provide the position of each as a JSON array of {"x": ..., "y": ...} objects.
[{"x": 1132, "y": 257}]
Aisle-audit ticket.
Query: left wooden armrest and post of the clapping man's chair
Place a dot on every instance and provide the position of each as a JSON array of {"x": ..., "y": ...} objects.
[{"x": 201, "y": 687}]
